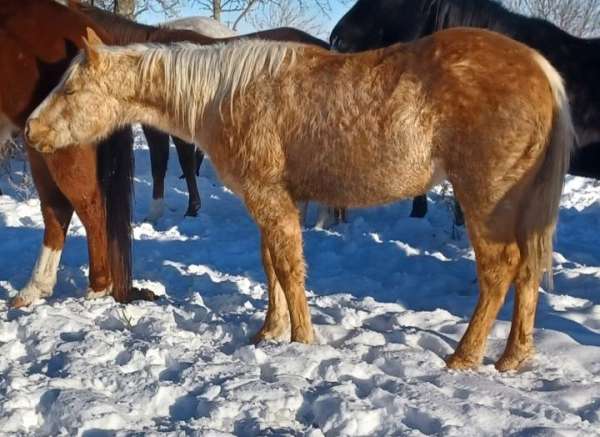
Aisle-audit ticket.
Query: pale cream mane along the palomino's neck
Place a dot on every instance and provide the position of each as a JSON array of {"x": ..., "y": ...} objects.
[{"x": 197, "y": 76}]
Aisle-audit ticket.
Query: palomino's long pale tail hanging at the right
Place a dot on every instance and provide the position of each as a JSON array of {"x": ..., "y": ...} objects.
[{"x": 538, "y": 221}]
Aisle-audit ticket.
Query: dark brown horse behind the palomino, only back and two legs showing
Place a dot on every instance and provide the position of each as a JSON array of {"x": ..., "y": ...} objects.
[{"x": 123, "y": 32}]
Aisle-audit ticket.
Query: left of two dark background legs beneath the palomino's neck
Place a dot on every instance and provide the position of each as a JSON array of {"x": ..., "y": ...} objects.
[{"x": 158, "y": 143}]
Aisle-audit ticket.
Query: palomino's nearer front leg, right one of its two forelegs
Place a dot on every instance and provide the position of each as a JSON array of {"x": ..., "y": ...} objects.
[{"x": 277, "y": 216}]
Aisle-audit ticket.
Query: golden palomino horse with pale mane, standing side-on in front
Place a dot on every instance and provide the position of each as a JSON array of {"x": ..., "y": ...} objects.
[{"x": 289, "y": 122}]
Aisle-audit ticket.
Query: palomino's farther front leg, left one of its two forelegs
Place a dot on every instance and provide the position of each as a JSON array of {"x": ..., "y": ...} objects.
[{"x": 277, "y": 321}]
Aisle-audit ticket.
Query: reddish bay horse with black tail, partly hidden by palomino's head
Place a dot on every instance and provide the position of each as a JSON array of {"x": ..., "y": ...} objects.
[{"x": 38, "y": 39}]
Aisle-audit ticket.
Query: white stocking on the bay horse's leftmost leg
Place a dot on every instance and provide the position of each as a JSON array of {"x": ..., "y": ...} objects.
[{"x": 43, "y": 278}]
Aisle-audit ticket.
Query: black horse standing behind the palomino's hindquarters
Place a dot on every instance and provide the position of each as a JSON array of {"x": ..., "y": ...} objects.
[{"x": 378, "y": 23}]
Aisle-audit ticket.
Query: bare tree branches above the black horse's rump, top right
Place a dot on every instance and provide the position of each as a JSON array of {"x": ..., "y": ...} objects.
[{"x": 578, "y": 17}]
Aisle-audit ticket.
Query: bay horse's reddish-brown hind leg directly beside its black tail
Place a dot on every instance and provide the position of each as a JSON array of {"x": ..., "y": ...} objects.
[{"x": 75, "y": 171}]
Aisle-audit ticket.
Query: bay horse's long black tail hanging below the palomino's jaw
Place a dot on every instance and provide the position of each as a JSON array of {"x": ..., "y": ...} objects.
[{"x": 115, "y": 157}]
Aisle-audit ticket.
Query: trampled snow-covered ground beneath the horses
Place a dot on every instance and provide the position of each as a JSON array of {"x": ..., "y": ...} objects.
[{"x": 390, "y": 297}]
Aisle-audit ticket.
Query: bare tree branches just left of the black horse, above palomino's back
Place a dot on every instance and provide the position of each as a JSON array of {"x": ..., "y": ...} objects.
[{"x": 286, "y": 13}]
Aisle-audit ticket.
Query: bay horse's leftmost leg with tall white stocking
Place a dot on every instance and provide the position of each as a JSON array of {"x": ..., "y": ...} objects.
[{"x": 57, "y": 212}]
